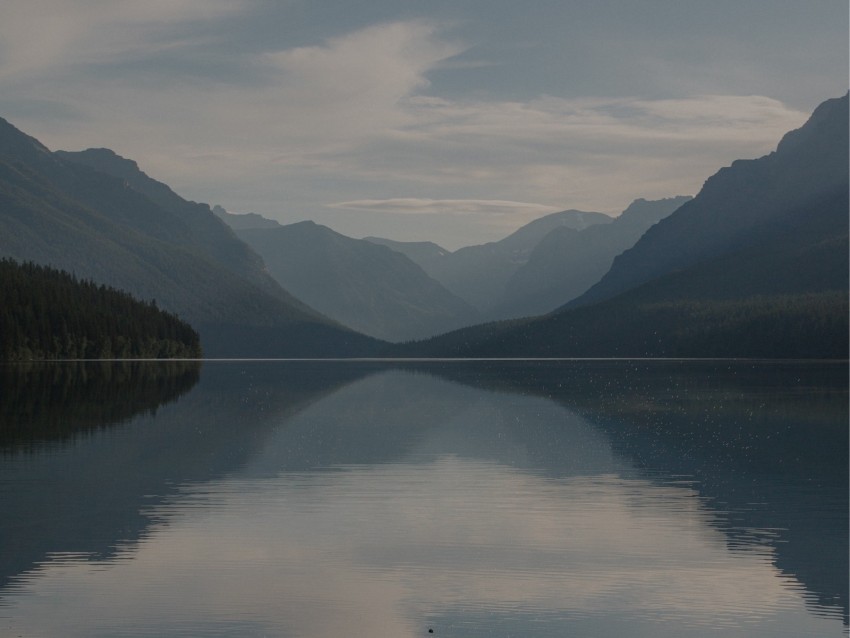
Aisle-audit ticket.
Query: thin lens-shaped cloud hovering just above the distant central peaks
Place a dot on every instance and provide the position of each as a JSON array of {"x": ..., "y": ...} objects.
[{"x": 412, "y": 205}]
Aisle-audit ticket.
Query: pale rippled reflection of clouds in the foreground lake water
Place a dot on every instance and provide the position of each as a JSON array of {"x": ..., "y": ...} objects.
[{"x": 373, "y": 551}]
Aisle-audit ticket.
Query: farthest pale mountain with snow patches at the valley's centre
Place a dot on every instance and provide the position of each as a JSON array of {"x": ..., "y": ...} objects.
[{"x": 478, "y": 274}]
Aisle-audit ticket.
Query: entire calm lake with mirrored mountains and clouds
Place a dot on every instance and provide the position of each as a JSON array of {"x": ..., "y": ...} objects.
[{"x": 445, "y": 498}]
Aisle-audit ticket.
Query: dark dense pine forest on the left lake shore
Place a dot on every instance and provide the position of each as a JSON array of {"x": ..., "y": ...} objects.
[{"x": 50, "y": 314}]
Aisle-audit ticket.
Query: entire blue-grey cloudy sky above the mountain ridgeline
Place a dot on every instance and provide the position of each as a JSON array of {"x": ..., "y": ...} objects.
[{"x": 454, "y": 122}]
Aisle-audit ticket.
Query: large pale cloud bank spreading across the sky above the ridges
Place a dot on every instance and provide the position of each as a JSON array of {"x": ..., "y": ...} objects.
[{"x": 351, "y": 119}]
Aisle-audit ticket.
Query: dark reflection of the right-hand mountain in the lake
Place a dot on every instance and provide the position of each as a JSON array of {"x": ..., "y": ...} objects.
[{"x": 766, "y": 446}]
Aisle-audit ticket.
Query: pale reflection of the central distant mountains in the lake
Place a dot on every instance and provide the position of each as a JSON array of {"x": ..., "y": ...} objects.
[{"x": 416, "y": 417}]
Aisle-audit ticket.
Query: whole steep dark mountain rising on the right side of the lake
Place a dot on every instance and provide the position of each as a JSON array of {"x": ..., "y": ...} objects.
[{"x": 769, "y": 278}]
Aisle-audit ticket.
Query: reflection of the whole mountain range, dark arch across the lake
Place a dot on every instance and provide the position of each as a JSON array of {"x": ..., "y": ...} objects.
[{"x": 737, "y": 434}]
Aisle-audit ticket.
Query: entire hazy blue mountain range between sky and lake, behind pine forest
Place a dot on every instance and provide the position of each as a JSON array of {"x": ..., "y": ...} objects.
[{"x": 756, "y": 264}]
